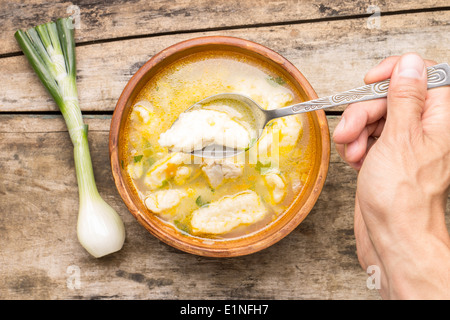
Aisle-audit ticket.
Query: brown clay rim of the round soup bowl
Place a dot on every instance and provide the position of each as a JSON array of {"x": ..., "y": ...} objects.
[{"x": 259, "y": 240}]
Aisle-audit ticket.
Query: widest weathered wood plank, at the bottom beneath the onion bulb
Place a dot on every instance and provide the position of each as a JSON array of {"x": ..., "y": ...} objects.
[{"x": 40, "y": 252}]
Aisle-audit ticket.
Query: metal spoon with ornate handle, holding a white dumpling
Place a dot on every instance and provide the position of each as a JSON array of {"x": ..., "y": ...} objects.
[{"x": 438, "y": 75}]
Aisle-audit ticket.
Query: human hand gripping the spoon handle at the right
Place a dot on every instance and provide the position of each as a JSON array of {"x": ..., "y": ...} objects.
[{"x": 401, "y": 148}]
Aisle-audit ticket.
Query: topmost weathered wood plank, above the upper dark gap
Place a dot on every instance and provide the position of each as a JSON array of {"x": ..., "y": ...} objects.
[{"x": 122, "y": 18}]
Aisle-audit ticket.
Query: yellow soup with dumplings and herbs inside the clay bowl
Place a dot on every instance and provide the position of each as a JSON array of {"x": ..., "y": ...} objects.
[{"x": 225, "y": 198}]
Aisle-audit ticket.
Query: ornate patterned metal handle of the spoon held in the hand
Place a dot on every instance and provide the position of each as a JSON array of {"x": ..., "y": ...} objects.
[{"x": 438, "y": 75}]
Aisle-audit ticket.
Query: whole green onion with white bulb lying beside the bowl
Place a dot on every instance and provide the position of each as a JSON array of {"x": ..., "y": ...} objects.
[{"x": 50, "y": 49}]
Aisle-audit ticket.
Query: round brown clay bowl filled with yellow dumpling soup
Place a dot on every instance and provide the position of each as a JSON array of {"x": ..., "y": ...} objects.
[{"x": 217, "y": 206}]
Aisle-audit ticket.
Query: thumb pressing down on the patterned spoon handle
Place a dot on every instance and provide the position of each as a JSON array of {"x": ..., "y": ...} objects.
[{"x": 406, "y": 95}]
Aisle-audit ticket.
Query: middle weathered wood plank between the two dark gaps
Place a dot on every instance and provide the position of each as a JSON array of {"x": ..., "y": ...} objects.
[{"x": 333, "y": 55}]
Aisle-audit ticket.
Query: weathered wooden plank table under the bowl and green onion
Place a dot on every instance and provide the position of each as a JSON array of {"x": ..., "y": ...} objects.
[{"x": 333, "y": 43}]
